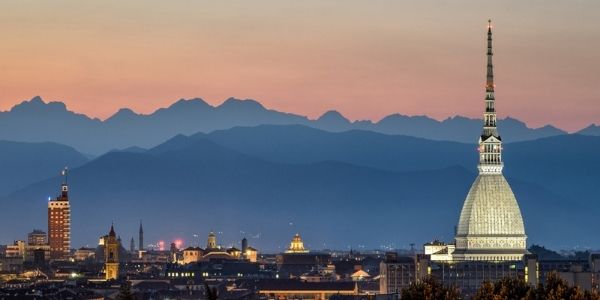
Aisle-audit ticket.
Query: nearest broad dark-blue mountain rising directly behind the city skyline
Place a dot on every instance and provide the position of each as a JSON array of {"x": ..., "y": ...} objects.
[{"x": 337, "y": 189}]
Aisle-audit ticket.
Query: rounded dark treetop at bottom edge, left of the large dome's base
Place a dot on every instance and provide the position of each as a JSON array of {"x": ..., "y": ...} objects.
[{"x": 429, "y": 289}]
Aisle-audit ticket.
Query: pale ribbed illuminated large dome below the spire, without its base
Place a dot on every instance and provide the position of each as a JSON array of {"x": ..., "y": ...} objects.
[{"x": 490, "y": 209}]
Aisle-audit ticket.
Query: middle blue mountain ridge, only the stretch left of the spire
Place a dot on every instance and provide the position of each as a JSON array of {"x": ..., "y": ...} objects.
[{"x": 301, "y": 144}]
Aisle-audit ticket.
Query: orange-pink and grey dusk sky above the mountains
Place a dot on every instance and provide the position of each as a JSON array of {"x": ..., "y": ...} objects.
[{"x": 366, "y": 59}]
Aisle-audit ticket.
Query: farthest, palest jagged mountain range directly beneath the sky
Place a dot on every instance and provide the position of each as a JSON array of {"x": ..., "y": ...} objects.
[{"x": 38, "y": 121}]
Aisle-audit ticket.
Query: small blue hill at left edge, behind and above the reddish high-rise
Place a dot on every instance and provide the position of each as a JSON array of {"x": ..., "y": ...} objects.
[{"x": 22, "y": 164}]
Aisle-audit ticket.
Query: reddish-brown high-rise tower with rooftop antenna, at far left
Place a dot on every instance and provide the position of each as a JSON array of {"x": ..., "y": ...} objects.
[{"x": 59, "y": 222}]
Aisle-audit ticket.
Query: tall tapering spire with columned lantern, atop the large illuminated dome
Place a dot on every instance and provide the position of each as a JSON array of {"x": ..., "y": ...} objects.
[{"x": 490, "y": 143}]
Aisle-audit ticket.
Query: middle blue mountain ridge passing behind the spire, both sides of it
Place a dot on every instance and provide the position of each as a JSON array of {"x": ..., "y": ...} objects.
[{"x": 563, "y": 164}]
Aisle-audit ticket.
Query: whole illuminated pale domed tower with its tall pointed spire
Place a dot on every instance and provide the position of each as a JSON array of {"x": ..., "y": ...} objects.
[{"x": 490, "y": 226}]
